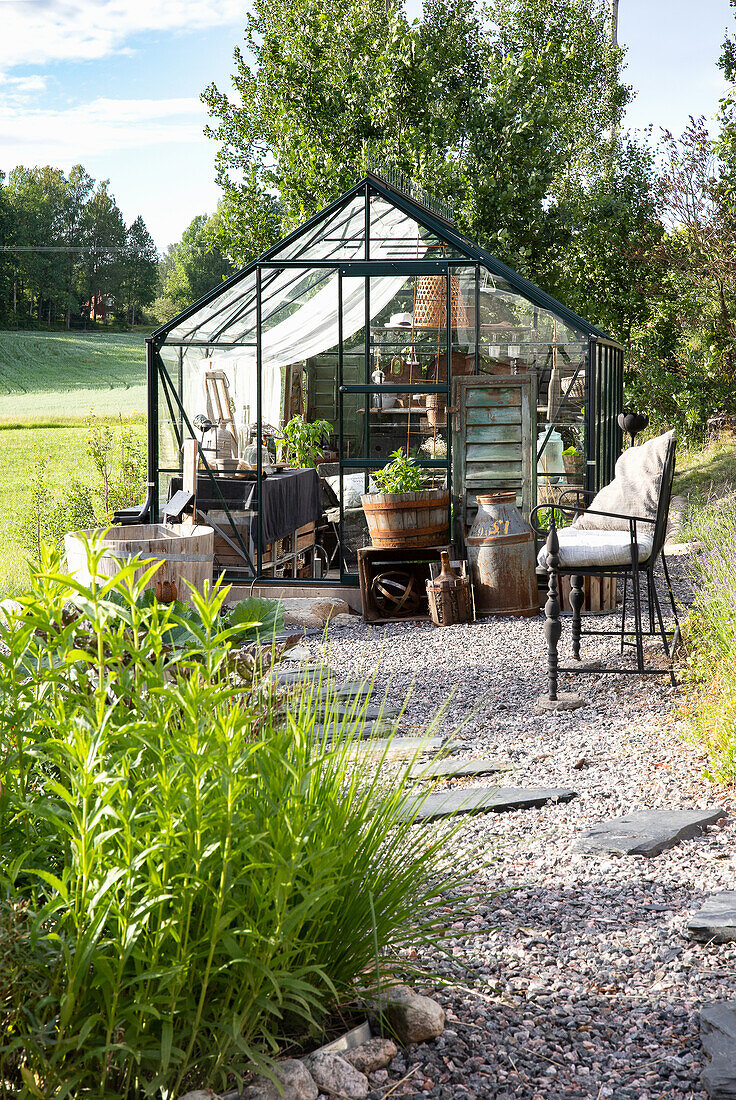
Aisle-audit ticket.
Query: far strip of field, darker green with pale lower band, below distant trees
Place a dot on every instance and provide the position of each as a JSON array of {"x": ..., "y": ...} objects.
[{"x": 54, "y": 377}]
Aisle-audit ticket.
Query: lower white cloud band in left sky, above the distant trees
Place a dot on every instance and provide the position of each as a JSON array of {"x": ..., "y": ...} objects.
[{"x": 103, "y": 126}]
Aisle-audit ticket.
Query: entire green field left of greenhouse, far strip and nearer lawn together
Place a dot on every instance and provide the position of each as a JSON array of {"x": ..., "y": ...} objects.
[{"x": 50, "y": 383}]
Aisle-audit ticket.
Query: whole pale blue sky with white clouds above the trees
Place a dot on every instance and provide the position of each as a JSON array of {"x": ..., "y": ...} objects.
[{"x": 115, "y": 85}]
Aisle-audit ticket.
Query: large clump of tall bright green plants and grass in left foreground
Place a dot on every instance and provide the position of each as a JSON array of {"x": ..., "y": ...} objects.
[{"x": 191, "y": 871}]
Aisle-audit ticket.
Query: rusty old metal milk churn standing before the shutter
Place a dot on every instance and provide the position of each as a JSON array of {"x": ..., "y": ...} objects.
[{"x": 501, "y": 548}]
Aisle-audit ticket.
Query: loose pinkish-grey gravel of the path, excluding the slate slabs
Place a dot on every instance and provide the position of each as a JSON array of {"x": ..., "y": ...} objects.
[{"x": 576, "y": 982}]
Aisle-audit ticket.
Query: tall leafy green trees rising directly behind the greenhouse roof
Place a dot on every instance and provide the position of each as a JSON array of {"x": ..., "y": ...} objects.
[{"x": 498, "y": 111}]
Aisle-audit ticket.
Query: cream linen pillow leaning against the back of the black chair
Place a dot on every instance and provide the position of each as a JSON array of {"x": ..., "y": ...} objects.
[{"x": 635, "y": 489}]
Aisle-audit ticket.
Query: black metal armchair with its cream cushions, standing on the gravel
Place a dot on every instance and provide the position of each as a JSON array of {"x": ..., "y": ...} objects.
[{"x": 621, "y": 534}]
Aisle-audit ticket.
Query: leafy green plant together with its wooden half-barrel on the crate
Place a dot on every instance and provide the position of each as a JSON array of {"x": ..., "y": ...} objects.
[{"x": 402, "y": 513}]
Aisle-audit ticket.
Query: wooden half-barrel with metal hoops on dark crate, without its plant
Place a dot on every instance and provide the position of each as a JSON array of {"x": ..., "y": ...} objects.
[{"x": 399, "y": 521}]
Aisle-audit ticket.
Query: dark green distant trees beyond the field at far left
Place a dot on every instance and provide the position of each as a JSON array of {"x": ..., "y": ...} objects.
[{"x": 68, "y": 256}]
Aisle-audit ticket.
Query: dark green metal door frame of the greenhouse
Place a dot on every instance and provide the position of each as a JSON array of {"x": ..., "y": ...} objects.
[{"x": 369, "y": 270}]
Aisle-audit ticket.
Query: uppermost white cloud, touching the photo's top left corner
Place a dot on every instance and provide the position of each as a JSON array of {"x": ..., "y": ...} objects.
[{"x": 41, "y": 31}]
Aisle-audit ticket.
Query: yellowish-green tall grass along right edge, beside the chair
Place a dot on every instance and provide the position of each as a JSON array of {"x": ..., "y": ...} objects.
[{"x": 711, "y": 636}]
